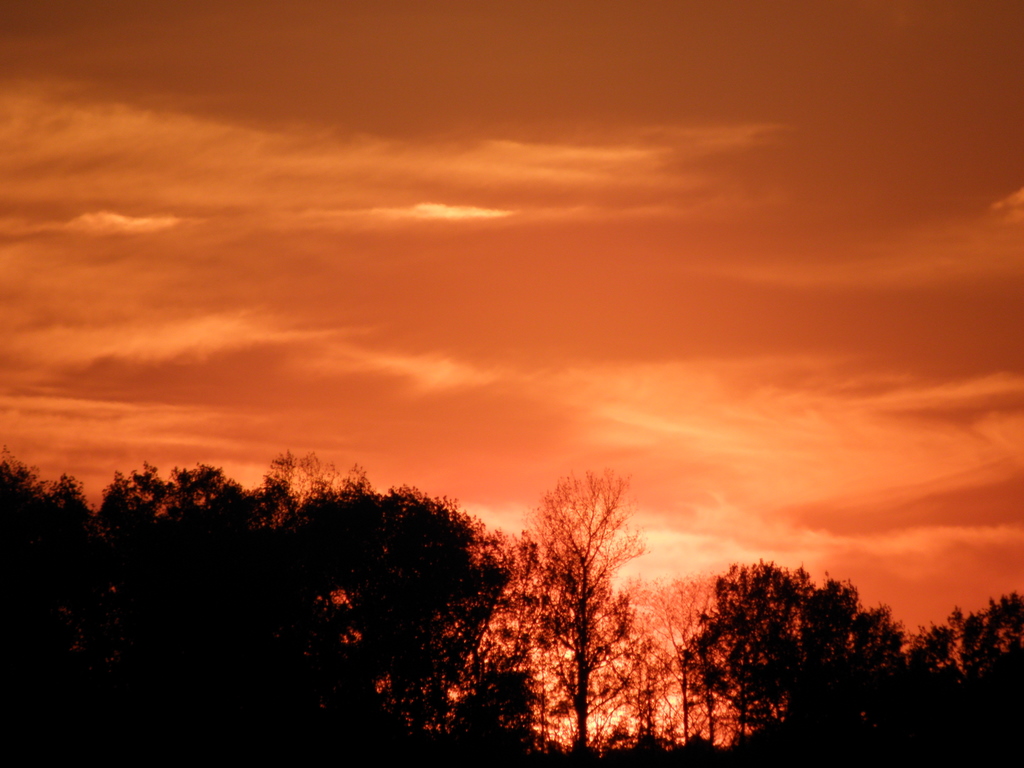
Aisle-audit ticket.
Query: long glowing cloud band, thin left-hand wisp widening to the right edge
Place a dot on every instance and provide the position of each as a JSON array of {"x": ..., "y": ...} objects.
[{"x": 754, "y": 436}]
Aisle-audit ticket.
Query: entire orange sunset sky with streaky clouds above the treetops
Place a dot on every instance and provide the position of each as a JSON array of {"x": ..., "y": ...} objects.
[{"x": 766, "y": 259}]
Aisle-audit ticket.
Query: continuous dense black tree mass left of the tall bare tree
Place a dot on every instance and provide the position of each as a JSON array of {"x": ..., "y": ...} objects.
[{"x": 191, "y": 600}]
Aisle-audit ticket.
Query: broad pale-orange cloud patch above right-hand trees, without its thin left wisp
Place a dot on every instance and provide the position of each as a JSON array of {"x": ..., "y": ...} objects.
[{"x": 767, "y": 445}]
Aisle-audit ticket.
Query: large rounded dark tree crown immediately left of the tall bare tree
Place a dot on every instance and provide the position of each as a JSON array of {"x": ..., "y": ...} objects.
[{"x": 402, "y": 607}]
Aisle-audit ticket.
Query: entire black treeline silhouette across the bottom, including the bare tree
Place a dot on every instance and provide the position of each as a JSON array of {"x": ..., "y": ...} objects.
[{"x": 317, "y": 612}]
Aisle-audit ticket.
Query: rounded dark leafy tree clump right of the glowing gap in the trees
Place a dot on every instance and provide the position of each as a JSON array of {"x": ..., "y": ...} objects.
[{"x": 791, "y": 655}]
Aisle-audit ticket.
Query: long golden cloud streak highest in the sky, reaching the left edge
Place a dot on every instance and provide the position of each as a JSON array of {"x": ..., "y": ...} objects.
[{"x": 108, "y": 158}]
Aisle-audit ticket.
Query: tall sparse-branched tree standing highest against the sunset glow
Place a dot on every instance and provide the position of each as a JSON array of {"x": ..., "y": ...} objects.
[{"x": 582, "y": 529}]
